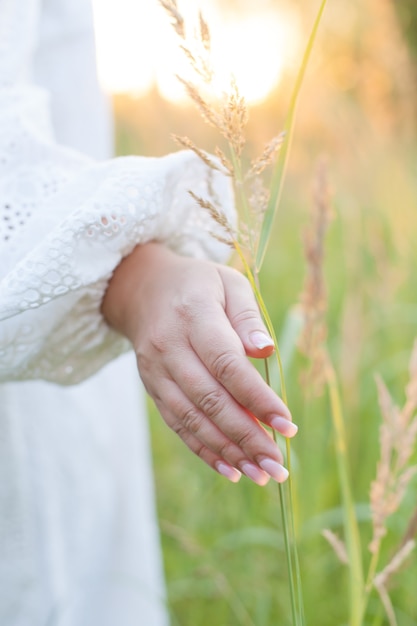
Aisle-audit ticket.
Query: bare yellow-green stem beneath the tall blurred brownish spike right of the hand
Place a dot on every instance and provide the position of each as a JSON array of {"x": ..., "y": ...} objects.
[{"x": 353, "y": 544}]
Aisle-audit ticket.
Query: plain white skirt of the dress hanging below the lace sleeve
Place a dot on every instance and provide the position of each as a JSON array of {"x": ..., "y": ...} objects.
[{"x": 79, "y": 541}]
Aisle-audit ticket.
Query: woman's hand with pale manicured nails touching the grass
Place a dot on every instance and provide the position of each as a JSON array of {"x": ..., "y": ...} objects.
[{"x": 192, "y": 324}]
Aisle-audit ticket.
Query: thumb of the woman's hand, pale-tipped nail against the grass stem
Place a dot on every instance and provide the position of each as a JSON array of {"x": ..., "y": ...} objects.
[{"x": 244, "y": 316}]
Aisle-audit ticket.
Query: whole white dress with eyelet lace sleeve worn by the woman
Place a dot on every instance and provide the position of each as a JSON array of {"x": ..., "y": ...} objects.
[{"x": 78, "y": 534}]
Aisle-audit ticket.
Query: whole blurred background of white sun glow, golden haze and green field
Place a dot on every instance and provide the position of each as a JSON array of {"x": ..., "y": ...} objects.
[{"x": 222, "y": 543}]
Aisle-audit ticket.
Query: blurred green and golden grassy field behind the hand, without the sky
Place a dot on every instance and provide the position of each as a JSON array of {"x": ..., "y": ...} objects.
[{"x": 223, "y": 545}]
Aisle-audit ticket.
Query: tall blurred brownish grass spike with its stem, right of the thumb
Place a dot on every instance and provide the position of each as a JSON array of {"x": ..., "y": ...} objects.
[{"x": 312, "y": 343}]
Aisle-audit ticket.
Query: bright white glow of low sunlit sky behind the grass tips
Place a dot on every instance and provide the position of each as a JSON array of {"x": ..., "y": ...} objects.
[{"x": 137, "y": 47}]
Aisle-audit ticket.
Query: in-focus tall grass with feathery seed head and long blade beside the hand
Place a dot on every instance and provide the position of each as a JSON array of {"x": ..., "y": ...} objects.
[{"x": 230, "y": 121}]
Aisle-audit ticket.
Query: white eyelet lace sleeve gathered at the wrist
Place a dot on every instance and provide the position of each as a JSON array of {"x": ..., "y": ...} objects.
[{"x": 66, "y": 221}]
